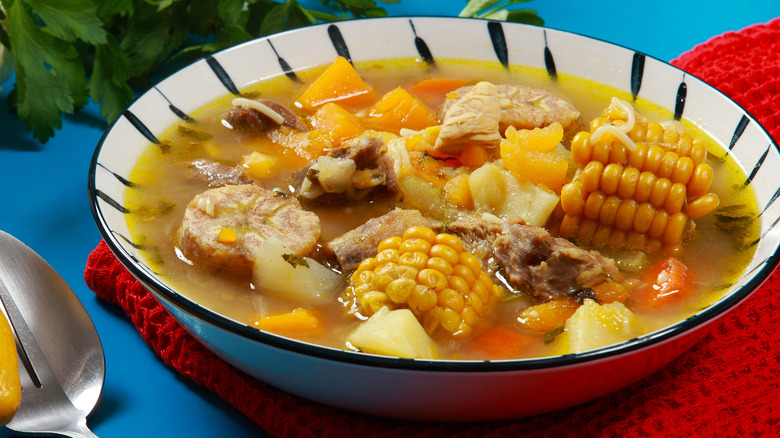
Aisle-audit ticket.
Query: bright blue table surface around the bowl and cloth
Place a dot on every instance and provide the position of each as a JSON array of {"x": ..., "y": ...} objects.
[{"x": 45, "y": 204}]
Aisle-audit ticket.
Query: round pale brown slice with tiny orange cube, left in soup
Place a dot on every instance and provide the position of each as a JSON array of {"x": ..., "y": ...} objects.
[{"x": 255, "y": 214}]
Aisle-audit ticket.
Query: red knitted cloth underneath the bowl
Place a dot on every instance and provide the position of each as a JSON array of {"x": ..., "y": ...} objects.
[{"x": 726, "y": 385}]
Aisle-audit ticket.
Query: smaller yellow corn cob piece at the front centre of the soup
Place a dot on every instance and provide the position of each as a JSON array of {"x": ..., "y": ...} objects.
[{"x": 428, "y": 273}]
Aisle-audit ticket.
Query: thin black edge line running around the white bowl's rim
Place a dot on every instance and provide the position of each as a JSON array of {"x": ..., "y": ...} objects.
[{"x": 165, "y": 293}]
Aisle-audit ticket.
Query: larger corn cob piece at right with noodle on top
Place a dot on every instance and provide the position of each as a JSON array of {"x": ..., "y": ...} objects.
[{"x": 639, "y": 183}]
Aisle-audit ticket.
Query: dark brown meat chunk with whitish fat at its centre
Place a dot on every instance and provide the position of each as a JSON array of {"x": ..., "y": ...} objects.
[{"x": 363, "y": 172}]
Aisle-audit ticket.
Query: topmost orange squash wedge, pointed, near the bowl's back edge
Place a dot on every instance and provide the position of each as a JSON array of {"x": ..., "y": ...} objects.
[{"x": 341, "y": 83}]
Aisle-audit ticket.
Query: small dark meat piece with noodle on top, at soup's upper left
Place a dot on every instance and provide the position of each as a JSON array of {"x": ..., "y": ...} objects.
[{"x": 245, "y": 116}]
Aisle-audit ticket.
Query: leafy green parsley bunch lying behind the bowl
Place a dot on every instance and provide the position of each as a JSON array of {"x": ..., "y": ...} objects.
[{"x": 68, "y": 51}]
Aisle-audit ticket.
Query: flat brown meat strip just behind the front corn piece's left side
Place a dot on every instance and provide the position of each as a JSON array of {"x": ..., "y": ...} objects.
[{"x": 360, "y": 243}]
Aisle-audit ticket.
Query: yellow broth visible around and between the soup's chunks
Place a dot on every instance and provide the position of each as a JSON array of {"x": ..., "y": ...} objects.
[{"x": 163, "y": 192}]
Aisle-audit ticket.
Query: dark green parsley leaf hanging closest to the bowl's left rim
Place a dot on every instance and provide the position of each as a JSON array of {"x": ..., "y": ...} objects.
[{"x": 108, "y": 82}]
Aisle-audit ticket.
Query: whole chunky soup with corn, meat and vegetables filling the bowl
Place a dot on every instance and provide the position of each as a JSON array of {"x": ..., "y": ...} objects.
[{"x": 466, "y": 212}]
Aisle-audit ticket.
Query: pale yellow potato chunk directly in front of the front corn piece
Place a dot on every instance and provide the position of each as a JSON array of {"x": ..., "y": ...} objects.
[{"x": 393, "y": 333}]
